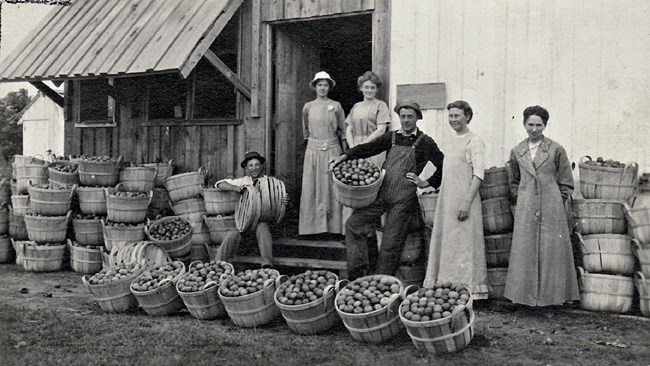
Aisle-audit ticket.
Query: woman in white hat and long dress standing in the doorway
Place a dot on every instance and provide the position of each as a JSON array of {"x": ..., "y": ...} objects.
[{"x": 323, "y": 123}]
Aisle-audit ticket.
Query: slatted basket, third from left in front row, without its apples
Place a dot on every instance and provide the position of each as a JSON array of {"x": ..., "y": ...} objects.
[{"x": 206, "y": 304}]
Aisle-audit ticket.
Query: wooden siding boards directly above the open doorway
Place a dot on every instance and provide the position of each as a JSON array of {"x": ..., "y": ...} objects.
[{"x": 273, "y": 10}]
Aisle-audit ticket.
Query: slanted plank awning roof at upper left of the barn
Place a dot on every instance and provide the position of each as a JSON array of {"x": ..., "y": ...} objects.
[{"x": 92, "y": 38}]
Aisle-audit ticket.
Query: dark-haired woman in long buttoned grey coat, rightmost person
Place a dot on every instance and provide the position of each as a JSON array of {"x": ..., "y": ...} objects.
[{"x": 541, "y": 270}]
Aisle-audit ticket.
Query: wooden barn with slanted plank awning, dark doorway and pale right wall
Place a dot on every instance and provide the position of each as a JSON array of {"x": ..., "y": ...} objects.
[{"x": 202, "y": 82}]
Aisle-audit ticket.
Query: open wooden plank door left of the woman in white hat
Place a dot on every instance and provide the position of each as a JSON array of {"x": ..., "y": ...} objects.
[{"x": 295, "y": 66}]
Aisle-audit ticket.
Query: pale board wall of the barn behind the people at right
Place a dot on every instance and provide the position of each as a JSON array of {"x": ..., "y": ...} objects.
[{"x": 585, "y": 61}]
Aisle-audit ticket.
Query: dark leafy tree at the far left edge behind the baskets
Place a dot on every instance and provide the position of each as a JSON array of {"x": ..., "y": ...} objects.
[{"x": 11, "y": 133}]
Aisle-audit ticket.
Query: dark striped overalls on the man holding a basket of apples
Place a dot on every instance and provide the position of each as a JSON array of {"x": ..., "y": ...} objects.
[{"x": 397, "y": 198}]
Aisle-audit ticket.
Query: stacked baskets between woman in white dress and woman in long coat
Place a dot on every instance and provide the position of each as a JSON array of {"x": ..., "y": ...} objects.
[{"x": 497, "y": 226}]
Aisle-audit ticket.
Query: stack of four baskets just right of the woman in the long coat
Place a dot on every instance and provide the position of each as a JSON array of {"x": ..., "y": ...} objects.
[{"x": 605, "y": 282}]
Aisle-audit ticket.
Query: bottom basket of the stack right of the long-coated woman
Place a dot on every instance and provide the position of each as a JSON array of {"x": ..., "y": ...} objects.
[{"x": 602, "y": 292}]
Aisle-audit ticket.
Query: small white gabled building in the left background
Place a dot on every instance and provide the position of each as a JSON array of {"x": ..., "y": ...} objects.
[{"x": 43, "y": 127}]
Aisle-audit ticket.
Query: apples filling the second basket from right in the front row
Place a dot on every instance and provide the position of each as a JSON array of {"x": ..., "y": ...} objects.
[{"x": 367, "y": 294}]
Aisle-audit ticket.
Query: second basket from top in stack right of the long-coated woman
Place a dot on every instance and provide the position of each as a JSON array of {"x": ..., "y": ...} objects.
[{"x": 596, "y": 216}]
